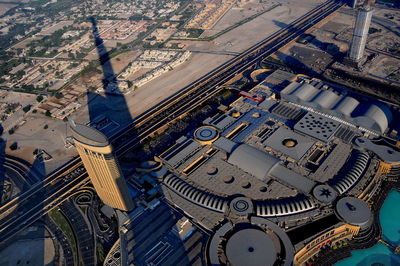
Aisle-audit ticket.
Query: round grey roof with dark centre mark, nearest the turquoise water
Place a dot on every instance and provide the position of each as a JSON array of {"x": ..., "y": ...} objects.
[{"x": 354, "y": 211}]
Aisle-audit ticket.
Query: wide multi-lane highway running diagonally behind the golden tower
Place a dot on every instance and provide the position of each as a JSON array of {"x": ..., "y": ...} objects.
[{"x": 58, "y": 186}]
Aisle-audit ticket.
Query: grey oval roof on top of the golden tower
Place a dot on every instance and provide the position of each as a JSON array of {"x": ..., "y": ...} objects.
[{"x": 89, "y": 136}]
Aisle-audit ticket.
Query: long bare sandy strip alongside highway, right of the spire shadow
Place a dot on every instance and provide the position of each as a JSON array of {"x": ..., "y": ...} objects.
[{"x": 199, "y": 64}]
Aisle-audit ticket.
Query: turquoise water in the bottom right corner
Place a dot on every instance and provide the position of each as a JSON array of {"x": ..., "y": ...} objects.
[{"x": 381, "y": 255}]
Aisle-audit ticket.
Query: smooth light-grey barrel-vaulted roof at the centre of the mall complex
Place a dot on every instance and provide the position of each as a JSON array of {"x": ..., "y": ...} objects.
[{"x": 252, "y": 160}]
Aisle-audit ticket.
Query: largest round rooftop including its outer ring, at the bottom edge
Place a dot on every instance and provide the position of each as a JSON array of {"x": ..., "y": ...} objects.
[{"x": 259, "y": 242}]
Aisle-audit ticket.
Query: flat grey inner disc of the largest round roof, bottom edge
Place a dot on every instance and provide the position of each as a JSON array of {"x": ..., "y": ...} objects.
[{"x": 251, "y": 247}]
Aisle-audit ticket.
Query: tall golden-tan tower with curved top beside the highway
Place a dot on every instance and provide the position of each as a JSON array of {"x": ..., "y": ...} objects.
[{"x": 104, "y": 172}]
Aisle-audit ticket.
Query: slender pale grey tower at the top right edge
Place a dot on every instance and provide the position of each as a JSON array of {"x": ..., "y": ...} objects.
[{"x": 360, "y": 33}]
